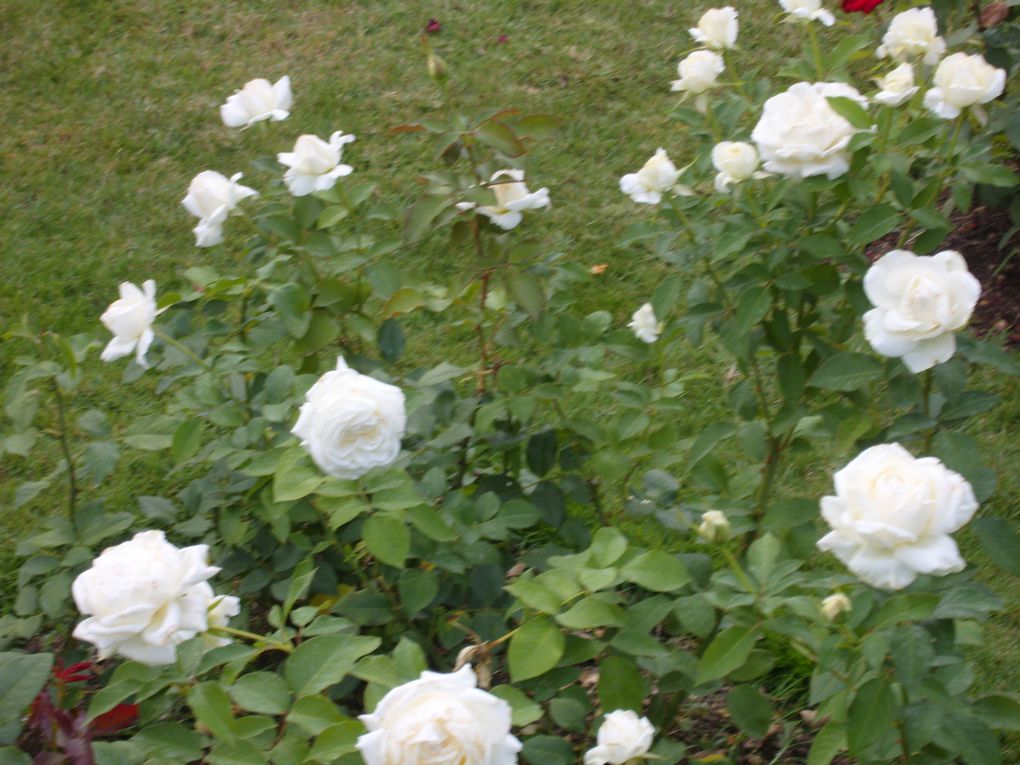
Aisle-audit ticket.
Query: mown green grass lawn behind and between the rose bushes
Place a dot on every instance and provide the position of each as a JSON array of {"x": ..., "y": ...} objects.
[{"x": 113, "y": 108}]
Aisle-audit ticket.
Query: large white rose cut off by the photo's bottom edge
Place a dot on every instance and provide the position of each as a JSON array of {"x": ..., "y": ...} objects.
[{"x": 439, "y": 720}]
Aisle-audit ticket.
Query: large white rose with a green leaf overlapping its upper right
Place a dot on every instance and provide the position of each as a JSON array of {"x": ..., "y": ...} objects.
[{"x": 800, "y": 135}]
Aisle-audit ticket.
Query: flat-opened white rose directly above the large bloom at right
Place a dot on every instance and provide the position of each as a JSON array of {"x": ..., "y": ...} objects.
[{"x": 921, "y": 301}]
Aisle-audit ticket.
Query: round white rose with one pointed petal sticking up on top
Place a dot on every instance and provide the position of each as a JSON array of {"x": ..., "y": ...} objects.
[{"x": 351, "y": 423}]
